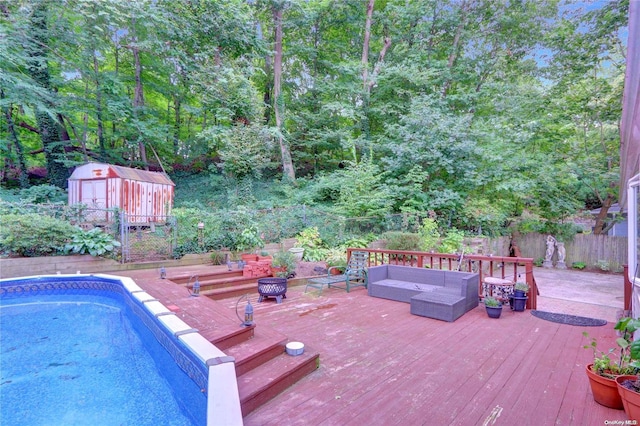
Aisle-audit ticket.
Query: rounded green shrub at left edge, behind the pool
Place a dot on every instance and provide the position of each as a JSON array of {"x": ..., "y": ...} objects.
[{"x": 32, "y": 235}]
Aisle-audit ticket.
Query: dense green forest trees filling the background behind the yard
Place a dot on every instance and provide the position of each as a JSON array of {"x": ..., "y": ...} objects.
[{"x": 477, "y": 111}]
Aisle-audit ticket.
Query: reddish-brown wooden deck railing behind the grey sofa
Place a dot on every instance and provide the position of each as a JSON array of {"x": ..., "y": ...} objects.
[{"x": 511, "y": 268}]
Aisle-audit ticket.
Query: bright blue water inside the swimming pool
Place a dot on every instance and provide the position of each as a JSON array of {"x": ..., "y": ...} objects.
[{"x": 88, "y": 359}]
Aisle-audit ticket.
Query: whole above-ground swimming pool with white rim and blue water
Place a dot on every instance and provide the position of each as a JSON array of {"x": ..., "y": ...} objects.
[{"x": 127, "y": 359}]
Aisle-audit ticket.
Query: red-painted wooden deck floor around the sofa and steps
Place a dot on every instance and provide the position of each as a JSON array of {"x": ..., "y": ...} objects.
[{"x": 380, "y": 365}]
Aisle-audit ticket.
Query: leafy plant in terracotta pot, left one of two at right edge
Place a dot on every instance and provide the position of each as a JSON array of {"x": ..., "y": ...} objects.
[{"x": 607, "y": 366}]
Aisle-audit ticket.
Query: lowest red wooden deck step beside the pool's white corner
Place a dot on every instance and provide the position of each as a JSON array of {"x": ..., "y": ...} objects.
[{"x": 261, "y": 384}]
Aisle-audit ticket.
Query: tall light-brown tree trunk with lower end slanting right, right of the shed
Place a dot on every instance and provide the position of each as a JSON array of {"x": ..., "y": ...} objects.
[{"x": 278, "y": 104}]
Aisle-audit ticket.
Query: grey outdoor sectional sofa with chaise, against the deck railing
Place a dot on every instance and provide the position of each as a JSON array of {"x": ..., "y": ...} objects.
[{"x": 432, "y": 293}]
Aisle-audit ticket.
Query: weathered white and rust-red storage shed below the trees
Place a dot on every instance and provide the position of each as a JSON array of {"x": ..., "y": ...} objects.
[{"x": 145, "y": 197}]
